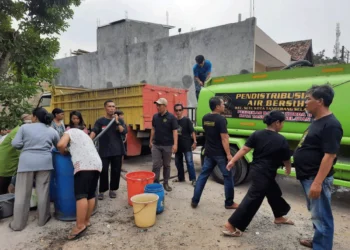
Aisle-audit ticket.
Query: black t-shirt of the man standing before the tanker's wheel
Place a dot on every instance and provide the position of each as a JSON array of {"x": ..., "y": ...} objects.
[{"x": 214, "y": 125}]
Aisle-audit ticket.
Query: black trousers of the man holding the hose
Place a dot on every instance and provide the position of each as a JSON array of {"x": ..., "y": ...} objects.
[{"x": 116, "y": 165}]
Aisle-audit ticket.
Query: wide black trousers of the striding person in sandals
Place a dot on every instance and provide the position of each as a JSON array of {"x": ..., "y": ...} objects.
[{"x": 261, "y": 187}]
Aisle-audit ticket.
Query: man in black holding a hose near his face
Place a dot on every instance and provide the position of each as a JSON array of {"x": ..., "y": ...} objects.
[{"x": 111, "y": 149}]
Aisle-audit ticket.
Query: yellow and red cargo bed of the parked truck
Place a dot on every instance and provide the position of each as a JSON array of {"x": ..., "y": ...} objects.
[{"x": 136, "y": 101}]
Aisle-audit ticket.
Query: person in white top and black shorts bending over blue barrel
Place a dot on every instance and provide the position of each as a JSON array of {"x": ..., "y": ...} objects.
[{"x": 87, "y": 167}]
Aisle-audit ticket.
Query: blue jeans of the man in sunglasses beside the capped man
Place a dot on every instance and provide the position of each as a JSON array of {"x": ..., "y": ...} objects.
[{"x": 179, "y": 163}]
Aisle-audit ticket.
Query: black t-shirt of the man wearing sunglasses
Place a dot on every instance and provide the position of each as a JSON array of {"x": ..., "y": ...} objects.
[{"x": 185, "y": 131}]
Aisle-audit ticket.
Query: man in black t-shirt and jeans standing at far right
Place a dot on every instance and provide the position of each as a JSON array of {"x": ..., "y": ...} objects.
[{"x": 314, "y": 159}]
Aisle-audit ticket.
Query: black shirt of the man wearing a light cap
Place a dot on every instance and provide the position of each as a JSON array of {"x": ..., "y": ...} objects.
[{"x": 164, "y": 125}]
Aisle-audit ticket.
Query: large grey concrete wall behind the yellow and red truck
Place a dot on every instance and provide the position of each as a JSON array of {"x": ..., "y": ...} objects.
[{"x": 167, "y": 61}]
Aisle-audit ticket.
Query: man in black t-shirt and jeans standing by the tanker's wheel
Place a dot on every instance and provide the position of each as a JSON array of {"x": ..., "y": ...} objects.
[{"x": 217, "y": 152}]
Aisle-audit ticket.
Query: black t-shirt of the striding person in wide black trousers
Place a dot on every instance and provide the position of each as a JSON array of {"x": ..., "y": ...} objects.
[{"x": 270, "y": 151}]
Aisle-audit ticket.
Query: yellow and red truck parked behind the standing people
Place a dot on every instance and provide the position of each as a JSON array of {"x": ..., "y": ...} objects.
[{"x": 137, "y": 103}]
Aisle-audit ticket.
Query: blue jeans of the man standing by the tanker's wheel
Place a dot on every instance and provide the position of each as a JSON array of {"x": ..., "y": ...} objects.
[{"x": 208, "y": 167}]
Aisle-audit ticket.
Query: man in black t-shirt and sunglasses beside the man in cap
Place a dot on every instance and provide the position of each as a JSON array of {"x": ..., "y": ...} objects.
[{"x": 186, "y": 134}]
